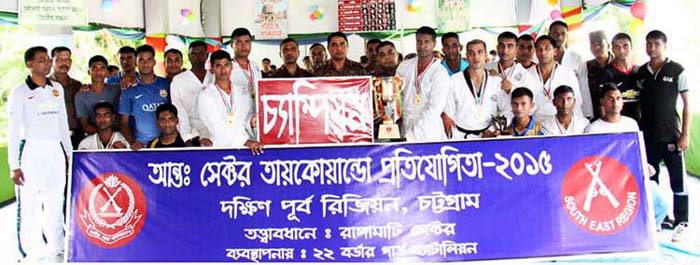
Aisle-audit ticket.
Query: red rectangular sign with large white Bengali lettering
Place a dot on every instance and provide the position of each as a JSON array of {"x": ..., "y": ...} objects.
[{"x": 314, "y": 110}]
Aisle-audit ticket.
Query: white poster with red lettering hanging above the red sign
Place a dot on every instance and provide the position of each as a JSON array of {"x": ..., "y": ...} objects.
[{"x": 270, "y": 19}]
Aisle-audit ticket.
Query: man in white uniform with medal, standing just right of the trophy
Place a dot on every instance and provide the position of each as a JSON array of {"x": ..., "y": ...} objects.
[{"x": 425, "y": 90}]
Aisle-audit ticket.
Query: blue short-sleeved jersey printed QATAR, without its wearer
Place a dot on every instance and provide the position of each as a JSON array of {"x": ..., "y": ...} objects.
[{"x": 140, "y": 102}]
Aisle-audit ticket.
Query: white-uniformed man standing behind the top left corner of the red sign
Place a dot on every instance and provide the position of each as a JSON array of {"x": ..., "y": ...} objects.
[{"x": 245, "y": 72}]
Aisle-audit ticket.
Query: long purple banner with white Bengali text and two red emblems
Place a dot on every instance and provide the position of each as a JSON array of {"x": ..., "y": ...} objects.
[{"x": 452, "y": 201}]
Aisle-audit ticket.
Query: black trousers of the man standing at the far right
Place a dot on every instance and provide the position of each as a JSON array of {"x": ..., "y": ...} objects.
[{"x": 658, "y": 151}]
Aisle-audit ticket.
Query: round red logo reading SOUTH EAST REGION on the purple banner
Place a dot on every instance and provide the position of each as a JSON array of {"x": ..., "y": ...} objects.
[{"x": 600, "y": 195}]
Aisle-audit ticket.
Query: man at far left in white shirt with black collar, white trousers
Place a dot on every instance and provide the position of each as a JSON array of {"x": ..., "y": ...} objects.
[{"x": 38, "y": 119}]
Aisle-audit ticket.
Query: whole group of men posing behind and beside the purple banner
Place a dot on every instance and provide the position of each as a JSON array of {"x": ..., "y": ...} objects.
[{"x": 537, "y": 85}]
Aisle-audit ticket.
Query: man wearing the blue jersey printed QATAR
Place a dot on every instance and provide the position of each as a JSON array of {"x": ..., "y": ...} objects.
[{"x": 141, "y": 101}]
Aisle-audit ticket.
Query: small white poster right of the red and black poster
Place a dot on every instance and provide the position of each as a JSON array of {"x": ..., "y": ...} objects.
[{"x": 451, "y": 15}]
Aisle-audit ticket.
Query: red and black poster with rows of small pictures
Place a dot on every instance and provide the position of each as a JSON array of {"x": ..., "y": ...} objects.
[{"x": 366, "y": 15}]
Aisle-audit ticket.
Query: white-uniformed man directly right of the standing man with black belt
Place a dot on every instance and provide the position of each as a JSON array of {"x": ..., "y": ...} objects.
[{"x": 512, "y": 74}]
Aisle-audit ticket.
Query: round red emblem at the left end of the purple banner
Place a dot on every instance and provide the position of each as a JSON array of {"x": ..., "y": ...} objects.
[{"x": 111, "y": 210}]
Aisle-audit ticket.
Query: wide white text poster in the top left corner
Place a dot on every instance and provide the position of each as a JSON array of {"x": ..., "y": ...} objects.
[{"x": 64, "y": 13}]
